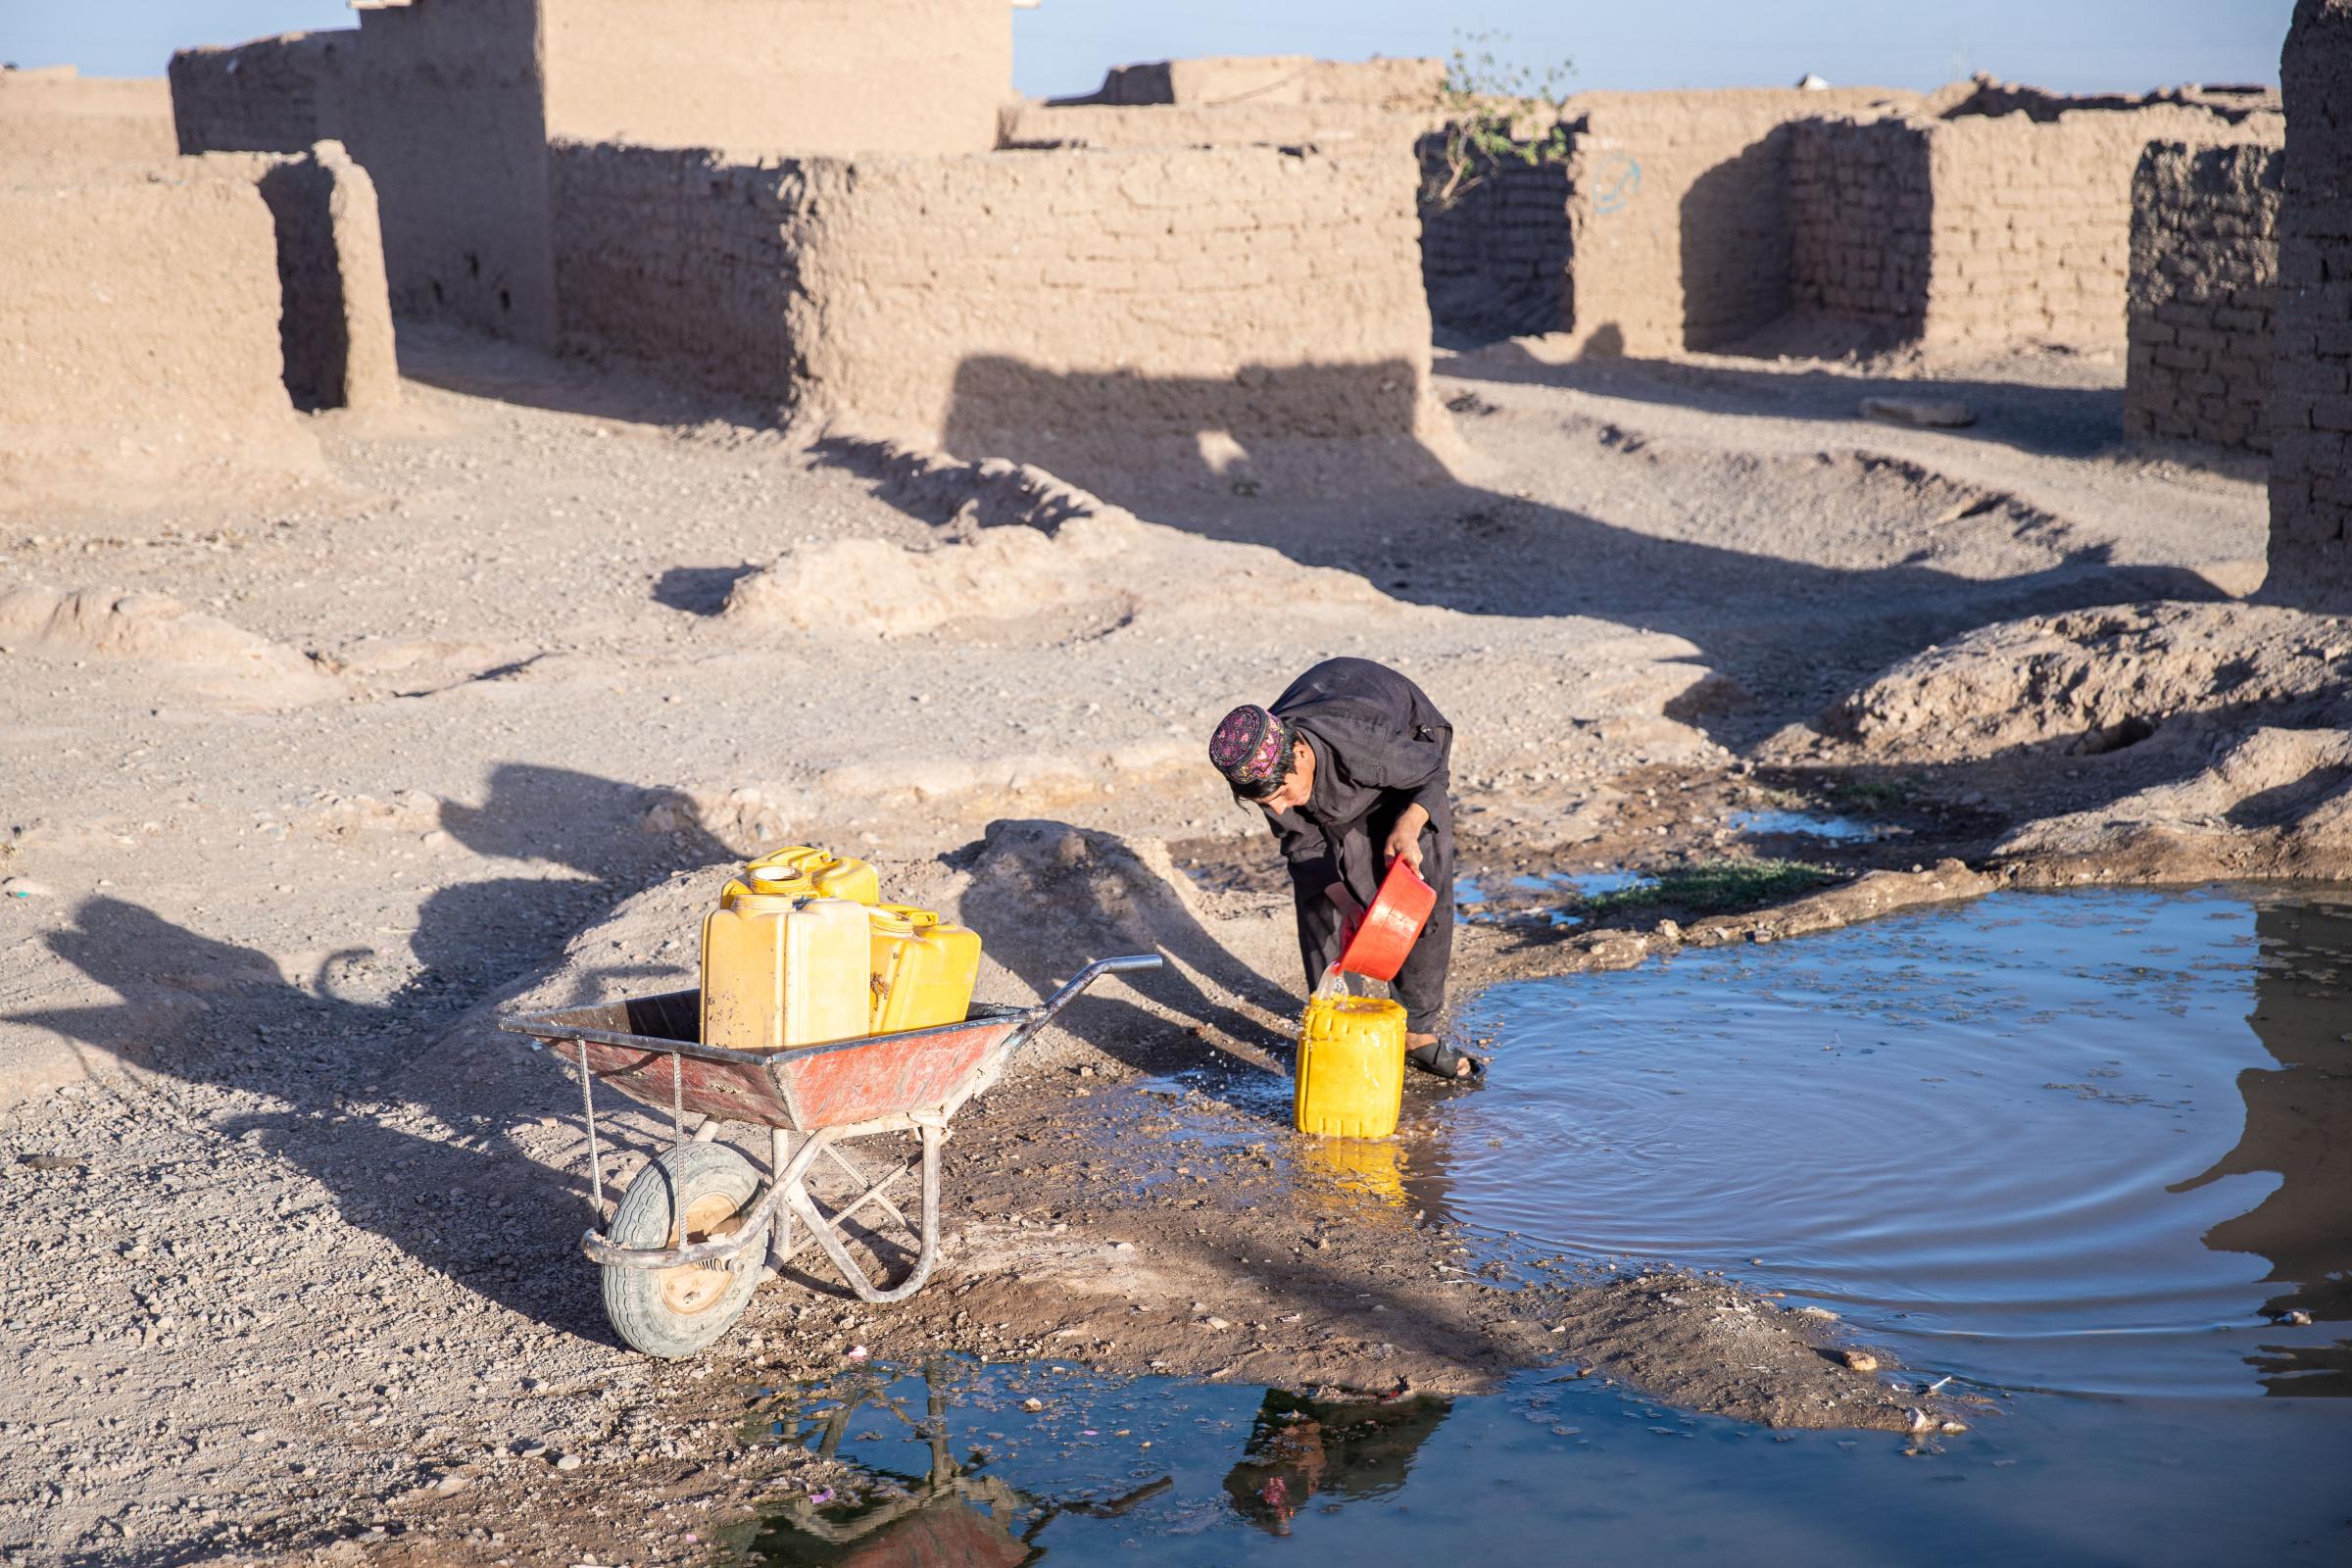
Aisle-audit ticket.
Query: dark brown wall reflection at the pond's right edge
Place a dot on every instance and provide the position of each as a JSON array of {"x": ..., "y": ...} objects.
[{"x": 2299, "y": 1125}]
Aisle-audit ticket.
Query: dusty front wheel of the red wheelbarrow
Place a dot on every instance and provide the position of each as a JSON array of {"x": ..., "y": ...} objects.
[{"x": 688, "y": 1195}]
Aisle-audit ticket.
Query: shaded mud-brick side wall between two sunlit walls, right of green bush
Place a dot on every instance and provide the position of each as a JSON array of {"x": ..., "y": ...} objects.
[{"x": 1862, "y": 222}]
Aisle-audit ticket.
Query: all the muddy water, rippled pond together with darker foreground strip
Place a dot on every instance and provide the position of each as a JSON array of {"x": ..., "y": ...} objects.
[{"x": 2085, "y": 1153}]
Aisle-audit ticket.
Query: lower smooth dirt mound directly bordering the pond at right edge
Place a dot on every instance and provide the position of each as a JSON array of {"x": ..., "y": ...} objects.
[{"x": 2276, "y": 803}]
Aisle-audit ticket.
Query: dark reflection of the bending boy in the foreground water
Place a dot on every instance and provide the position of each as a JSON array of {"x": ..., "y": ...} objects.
[{"x": 1351, "y": 1449}]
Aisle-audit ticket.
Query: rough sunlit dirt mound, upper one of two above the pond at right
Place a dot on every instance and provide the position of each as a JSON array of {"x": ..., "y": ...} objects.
[{"x": 2097, "y": 681}]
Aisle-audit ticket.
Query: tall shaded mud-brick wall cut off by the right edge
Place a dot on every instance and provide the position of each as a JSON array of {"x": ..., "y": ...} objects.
[{"x": 2311, "y": 460}]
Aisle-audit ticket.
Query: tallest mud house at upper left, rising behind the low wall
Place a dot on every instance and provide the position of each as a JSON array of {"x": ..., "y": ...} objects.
[{"x": 457, "y": 107}]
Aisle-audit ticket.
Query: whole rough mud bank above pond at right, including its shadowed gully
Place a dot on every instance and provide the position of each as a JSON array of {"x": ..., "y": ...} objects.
[{"x": 2127, "y": 744}]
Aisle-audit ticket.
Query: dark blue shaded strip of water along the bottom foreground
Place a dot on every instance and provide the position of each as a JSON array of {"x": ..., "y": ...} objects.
[{"x": 1001, "y": 1466}]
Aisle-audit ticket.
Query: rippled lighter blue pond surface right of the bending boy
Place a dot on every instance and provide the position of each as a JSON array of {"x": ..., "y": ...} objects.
[{"x": 2014, "y": 1130}]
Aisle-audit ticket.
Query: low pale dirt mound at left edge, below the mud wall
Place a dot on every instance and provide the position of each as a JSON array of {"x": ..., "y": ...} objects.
[{"x": 152, "y": 629}]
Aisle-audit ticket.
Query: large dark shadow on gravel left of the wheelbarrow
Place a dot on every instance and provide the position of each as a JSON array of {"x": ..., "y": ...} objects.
[{"x": 333, "y": 1068}]
